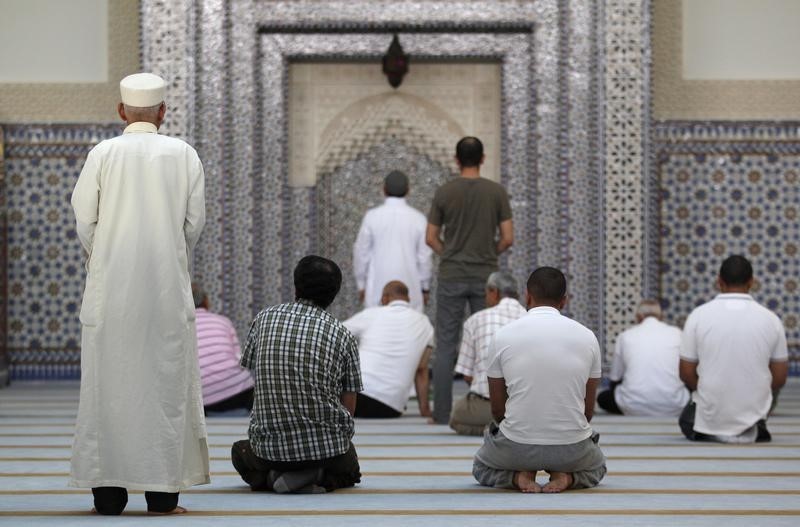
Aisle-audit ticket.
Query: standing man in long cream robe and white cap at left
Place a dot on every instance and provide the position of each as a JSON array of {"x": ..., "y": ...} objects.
[{"x": 139, "y": 205}]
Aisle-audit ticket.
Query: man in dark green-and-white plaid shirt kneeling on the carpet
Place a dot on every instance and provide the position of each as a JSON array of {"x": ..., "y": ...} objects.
[{"x": 307, "y": 375}]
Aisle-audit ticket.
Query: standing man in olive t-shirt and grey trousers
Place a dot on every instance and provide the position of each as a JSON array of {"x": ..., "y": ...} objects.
[{"x": 470, "y": 210}]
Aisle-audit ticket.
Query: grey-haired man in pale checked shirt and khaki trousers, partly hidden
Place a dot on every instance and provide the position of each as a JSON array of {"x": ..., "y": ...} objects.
[{"x": 473, "y": 412}]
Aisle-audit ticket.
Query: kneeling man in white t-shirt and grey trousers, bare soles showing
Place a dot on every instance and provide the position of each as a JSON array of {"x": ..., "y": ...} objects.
[{"x": 544, "y": 369}]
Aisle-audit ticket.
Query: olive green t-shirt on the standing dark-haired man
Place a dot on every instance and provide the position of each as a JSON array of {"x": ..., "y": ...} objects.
[{"x": 470, "y": 211}]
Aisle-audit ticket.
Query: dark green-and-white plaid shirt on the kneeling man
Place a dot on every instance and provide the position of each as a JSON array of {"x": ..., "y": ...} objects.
[{"x": 302, "y": 359}]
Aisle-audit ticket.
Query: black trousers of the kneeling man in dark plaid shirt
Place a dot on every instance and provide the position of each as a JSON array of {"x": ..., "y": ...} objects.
[{"x": 338, "y": 472}]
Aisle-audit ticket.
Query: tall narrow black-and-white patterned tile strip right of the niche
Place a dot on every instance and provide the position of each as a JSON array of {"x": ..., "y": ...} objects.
[{"x": 625, "y": 129}]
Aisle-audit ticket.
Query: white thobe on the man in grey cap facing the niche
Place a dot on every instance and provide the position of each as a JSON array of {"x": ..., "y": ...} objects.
[{"x": 391, "y": 246}]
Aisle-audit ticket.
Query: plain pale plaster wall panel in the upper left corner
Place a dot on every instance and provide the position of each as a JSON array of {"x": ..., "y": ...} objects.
[{"x": 53, "y": 41}]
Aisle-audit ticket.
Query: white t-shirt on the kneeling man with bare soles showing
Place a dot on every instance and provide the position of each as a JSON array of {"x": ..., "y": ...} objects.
[{"x": 546, "y": 360}]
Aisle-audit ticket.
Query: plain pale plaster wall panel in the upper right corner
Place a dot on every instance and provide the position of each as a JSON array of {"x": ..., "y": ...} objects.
[{"x": 741, "y": 39}]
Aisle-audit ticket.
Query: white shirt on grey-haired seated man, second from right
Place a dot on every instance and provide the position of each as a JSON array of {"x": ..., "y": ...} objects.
[{"x": 646, "y": 359}]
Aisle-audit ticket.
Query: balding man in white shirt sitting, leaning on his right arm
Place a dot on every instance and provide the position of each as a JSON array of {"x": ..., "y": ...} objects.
[{"x": 394, "y": 347}]
